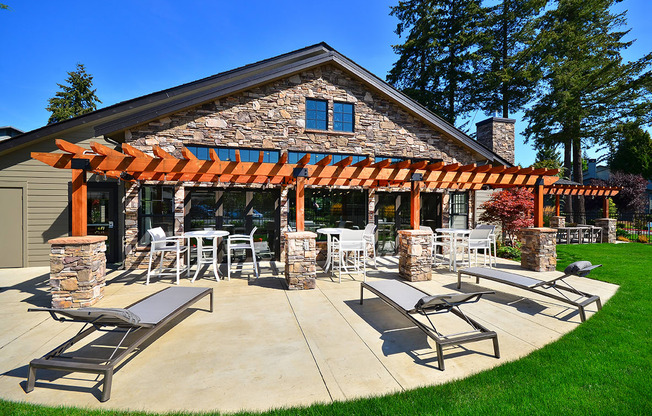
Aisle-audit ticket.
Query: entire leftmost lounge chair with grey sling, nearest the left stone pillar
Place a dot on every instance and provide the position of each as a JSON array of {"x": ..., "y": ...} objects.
[{"x": 143, "y": 319}]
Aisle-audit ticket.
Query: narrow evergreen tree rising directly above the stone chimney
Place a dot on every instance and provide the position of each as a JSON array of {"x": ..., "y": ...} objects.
[{"x": 509, "y": 69}]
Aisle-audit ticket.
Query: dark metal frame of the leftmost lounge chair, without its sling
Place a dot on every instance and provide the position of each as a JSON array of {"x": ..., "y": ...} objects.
[{"x": 54, "y": 360}]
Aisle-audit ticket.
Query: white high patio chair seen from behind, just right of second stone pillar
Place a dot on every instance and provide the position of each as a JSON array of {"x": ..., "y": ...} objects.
[{"x": 350, "y": 253}]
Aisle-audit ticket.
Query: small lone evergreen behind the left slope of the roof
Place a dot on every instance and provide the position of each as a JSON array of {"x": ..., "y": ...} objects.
[{"x": 74, "y": 99}]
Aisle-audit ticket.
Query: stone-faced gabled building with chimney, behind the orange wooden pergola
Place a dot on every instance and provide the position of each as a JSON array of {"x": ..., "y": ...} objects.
[{"x": 310, "y": 101}]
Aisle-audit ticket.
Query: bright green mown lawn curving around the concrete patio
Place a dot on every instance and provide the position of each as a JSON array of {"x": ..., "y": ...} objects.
[{"x": 602, "y": 367}]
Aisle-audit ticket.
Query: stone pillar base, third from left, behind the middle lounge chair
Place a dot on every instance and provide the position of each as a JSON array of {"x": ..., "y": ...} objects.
[{"x": 415, "y": 255}]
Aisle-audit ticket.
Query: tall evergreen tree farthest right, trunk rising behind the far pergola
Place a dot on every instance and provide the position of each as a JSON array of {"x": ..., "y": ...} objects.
[{"x": 587, "y": 89}]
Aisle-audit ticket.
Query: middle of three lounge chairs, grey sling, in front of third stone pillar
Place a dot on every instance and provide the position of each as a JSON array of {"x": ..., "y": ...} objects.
[{"x": 411, "y": 301}]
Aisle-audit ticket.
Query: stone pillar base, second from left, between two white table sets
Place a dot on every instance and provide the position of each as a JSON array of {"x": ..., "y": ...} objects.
[{"x": 301, "y": 260}]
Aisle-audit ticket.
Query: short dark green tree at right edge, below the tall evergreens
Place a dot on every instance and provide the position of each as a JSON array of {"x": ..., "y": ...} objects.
[{"x": 634, "y": 154}]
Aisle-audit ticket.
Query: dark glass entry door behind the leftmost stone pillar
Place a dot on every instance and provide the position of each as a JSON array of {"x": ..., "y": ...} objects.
[{"x": 103, "y": 216}]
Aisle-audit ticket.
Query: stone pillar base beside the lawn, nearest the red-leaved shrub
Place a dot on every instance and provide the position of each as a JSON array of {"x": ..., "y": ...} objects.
[{"x": 538, "y": 249}]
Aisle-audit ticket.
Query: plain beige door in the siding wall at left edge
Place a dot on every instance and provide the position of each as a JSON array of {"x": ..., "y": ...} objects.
[{"x": 11, "y": 212}]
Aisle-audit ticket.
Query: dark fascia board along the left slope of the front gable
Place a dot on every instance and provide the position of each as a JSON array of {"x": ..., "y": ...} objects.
[{"x": 210, "y": 94}]
